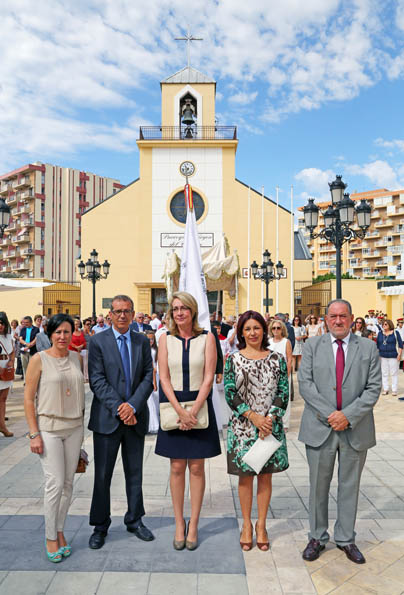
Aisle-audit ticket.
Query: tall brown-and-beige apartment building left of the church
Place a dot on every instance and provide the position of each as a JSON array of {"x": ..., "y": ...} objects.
[{"x": 46, "y": 201}]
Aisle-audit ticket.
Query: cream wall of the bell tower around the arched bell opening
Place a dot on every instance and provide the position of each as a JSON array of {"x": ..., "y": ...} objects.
[{"x": 170, "y": 90}]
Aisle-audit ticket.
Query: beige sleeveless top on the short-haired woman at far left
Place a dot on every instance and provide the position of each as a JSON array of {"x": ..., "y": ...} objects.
[{"x": 60, "y": 394}]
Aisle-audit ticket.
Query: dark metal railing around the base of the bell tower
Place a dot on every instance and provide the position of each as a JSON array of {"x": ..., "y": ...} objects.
[{"x": 188, "y": 133}]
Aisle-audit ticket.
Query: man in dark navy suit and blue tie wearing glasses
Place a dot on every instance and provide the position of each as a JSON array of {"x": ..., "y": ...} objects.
[{"x": 121, "y": 377}]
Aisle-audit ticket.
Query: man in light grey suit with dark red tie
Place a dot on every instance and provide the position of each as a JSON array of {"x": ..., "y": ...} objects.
[{"x": 340, "y": 382}]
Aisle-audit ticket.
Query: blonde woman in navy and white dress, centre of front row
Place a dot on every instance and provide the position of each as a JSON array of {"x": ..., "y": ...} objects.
[{"x": 187, "y": 363}]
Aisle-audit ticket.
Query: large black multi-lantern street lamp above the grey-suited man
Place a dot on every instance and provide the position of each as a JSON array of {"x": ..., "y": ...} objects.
[{"x": 338, "y": 219}]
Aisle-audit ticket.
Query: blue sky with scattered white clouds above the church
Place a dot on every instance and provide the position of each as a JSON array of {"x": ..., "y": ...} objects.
[{"x": 316, "y": 88}]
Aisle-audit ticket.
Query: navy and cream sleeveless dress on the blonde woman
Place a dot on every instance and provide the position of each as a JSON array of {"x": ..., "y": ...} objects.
[{"x": 186, "y": 363}]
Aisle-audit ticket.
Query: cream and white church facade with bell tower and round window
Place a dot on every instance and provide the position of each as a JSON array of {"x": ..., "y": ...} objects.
[{"x": 137, "y": 227}]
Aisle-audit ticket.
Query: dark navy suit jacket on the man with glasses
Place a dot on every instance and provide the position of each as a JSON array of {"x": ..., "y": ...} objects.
[{"x": 107, "y": 381}]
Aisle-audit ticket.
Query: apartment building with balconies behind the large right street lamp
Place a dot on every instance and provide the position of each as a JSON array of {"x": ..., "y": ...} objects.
[{"x": 379, "y": 254}]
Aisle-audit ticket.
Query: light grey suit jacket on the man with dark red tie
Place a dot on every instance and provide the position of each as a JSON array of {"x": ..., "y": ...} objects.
[{"x": 361, "y": 387}]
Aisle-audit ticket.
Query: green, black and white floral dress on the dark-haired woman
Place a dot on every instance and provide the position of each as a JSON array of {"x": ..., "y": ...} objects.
[{"x": 261, "y": 385}]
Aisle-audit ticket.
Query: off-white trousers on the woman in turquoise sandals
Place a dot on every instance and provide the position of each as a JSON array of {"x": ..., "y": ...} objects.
[{"x": 59, "y": 463}]
